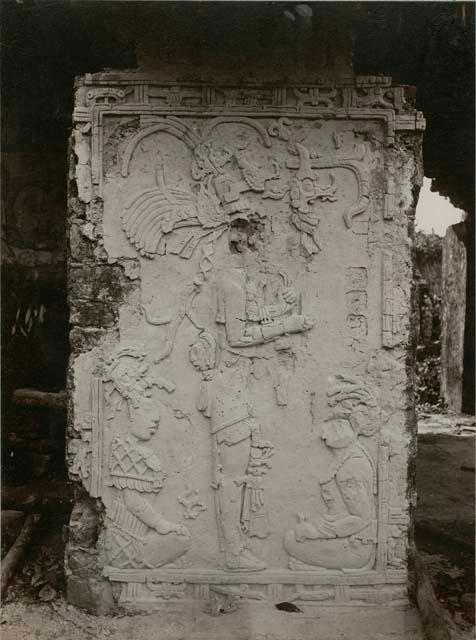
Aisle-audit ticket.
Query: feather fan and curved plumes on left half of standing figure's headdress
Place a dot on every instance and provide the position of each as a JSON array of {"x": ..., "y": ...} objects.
[{"x": 163, "y": 219}]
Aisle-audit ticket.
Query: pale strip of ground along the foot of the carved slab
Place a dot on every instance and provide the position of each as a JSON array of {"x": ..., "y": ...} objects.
[{"x": 250, "y": 622}]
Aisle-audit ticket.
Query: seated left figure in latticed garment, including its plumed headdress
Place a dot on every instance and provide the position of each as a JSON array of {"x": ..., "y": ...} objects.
[{"x": 138, "y": 536}]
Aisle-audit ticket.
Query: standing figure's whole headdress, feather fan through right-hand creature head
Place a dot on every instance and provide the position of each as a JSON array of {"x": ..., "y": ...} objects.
[{"x": 164, "y": 219}]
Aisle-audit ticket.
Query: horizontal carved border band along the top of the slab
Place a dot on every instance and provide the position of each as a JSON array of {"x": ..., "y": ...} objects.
[{"x": 368, "y": 93}]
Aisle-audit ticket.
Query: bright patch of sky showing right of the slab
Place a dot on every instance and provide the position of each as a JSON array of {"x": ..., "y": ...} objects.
[{"x": 435, "y": 213}]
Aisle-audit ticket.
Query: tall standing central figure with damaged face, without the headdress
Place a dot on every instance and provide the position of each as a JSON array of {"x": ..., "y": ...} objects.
[{"x": 251, "y": 312}]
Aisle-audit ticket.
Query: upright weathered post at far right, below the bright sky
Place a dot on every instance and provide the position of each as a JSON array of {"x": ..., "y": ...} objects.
[{"x": 453, "y": 316}]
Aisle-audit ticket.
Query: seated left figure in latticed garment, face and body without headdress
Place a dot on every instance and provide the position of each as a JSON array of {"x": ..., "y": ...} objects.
[{"x": 137, "y": 535}]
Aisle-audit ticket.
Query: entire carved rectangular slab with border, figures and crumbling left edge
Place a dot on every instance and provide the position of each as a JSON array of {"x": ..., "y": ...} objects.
[{"x": 240, "y": 272}]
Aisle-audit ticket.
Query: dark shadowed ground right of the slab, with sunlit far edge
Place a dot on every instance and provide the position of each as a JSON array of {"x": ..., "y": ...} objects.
[{"x": 445, "y": 515}]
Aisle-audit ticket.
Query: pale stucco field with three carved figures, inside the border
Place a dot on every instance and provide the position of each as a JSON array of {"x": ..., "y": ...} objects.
[{"x": 239, "y": 415}]
